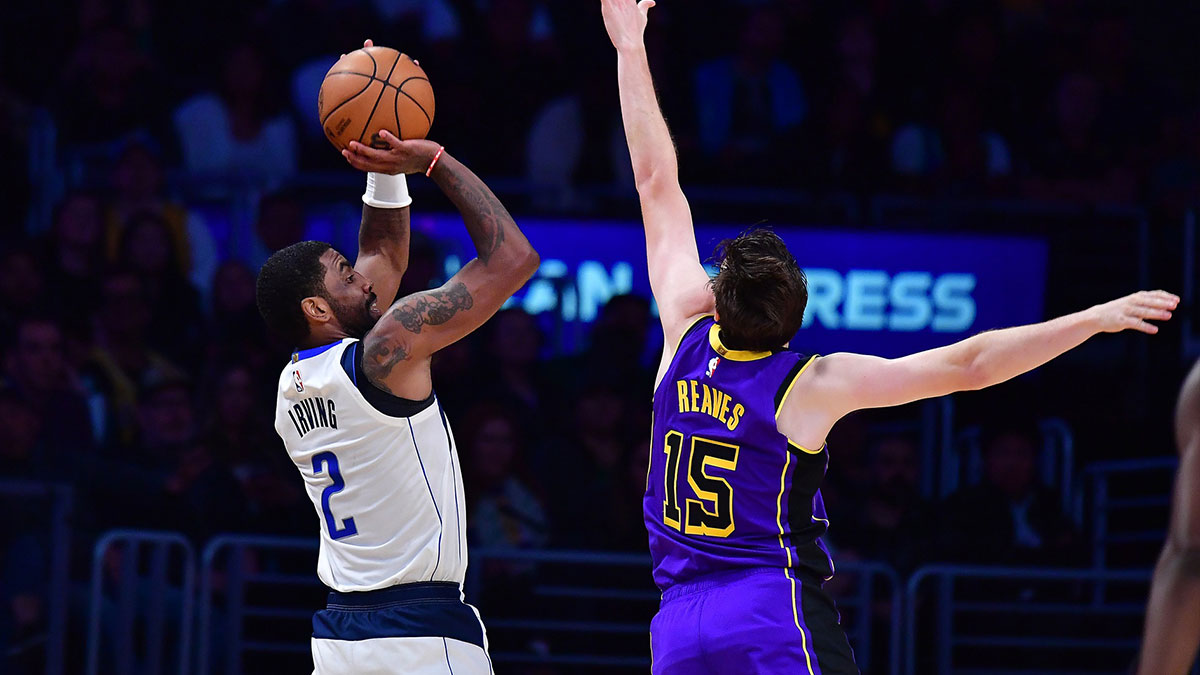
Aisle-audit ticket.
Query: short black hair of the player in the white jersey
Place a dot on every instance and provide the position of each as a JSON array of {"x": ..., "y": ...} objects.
[{"x": 287, "y": 278}]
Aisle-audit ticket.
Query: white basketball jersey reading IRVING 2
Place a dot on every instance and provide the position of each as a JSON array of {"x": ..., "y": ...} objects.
[{"x": 388, "y": 491}]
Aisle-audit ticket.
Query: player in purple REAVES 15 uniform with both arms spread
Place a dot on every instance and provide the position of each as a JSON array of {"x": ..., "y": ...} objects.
[{"x": 734, "y": 505}]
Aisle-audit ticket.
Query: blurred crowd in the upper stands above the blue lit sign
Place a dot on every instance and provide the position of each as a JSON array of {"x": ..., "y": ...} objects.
[{"x": 1048, "y": 100}]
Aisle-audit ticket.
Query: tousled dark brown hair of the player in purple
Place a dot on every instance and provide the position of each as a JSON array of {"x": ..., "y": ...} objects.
[{"x": 761, "y": 292}]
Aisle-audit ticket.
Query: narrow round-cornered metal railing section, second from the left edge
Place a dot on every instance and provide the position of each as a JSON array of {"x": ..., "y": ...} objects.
[{"x": 145, "y": 590}]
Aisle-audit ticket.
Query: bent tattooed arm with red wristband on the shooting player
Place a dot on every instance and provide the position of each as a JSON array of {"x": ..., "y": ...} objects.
[{"x": 398, "y": 350}]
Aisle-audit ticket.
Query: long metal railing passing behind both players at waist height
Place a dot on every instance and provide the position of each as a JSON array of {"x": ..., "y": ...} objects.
[{"x": 568, "y": 601}]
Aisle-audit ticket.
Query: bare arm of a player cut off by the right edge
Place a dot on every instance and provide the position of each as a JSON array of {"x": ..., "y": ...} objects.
[{"x": 1173, "y": 617}]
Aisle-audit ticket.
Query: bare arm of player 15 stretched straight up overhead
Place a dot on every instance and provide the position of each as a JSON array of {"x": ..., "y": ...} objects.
[{"x": 677, "y": 278}]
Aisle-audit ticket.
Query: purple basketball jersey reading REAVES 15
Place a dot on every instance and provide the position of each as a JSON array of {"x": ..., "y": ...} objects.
[{"x": 727, "y": 491}]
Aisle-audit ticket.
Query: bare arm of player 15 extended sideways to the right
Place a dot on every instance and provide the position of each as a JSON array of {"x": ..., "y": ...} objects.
[{"x": 841, "y": 384}]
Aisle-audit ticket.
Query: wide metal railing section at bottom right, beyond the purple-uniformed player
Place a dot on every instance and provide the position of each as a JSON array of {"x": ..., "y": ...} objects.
[{"x": 1013, "y": 622}]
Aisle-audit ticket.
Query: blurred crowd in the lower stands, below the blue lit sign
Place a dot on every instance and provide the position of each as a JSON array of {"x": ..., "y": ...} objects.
[{"x": 154, "y": 407}]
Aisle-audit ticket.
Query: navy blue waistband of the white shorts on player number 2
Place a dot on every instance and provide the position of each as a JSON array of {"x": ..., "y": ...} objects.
[{"x": 412, "y": 611}]
